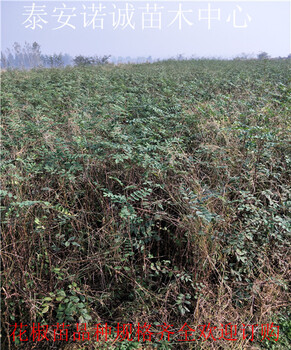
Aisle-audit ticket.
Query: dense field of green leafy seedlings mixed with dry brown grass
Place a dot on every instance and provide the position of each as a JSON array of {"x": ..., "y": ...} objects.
[{"x": 147, "y": 193}]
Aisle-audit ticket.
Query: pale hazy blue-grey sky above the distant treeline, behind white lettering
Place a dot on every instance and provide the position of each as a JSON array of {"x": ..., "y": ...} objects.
[{"x": 157, "y": 28}]
